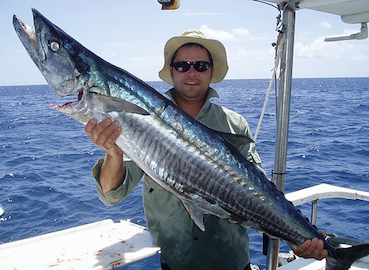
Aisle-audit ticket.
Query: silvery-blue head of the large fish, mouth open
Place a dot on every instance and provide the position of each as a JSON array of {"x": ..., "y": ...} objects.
[{"x": 55, "y": 53}]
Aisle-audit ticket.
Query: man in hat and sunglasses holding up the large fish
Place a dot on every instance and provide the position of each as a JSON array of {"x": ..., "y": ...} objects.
[{"x": 192, "y": 62}]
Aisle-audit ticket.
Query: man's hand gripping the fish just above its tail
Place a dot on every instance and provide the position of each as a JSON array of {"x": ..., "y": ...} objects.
[{"x": 311, "y": 249}]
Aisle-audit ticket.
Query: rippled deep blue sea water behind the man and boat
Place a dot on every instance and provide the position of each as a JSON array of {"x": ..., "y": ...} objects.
[{"x": 46, "y": 183}]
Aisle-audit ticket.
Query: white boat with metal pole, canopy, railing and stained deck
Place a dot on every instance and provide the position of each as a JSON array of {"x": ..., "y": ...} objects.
[{"x": 108, "y": 245}]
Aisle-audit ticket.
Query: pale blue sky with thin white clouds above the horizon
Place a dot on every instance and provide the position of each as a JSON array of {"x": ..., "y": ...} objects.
[{"x": 132, "y": 34}]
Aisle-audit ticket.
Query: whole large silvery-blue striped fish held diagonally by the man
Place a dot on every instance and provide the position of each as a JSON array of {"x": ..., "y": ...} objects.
[{"x": 200, "y": 166}]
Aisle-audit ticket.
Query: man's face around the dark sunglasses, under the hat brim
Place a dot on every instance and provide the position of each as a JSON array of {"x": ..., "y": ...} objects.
[{"x": 191, "y": 86}]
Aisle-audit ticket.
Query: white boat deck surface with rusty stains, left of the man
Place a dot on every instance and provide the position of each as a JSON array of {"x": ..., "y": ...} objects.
[{"x": 100, "y": 245}]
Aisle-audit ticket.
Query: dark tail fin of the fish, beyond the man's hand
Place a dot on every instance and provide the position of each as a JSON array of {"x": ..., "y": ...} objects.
[{"x": 346, "y": 257}]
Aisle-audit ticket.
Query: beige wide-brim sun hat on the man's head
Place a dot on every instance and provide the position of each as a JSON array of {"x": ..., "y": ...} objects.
[{"x": 216, "y": 49}]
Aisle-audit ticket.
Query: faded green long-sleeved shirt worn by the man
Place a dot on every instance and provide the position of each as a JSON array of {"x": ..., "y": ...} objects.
[{"x": 183, "y": 245}]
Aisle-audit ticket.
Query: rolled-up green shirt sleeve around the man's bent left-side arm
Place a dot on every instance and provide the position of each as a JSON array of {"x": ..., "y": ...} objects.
[{"x": 133, "y": 175}]
